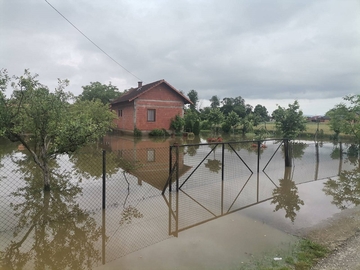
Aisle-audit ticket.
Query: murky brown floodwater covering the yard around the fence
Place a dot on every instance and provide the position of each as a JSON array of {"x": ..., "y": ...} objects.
[{"x": 232, "y": 205}]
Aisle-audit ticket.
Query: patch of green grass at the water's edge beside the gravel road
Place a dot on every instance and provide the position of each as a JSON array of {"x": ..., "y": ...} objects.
[{"x": 299, "y": 256}]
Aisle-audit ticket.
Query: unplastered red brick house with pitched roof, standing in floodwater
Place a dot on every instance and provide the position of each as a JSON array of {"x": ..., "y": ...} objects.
[{"x": 148, "y": 107}]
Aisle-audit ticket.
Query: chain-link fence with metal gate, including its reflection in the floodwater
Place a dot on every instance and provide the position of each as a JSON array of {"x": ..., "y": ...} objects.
[{"x": 40, "y": 228}]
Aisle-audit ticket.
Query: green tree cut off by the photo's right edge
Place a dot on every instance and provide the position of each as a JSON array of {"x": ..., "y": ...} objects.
[{"x": 345, "y": 118}]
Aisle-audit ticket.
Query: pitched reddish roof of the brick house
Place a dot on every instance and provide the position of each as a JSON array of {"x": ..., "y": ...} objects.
[{"x": 134, "y": 93}]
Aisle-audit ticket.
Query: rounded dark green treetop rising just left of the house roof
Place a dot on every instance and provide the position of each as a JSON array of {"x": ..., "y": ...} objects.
[{"x": 96, "y": 90}]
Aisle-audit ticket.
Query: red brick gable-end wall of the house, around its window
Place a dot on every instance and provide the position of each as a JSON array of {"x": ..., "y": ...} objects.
[{"x": 166, "y": 103}]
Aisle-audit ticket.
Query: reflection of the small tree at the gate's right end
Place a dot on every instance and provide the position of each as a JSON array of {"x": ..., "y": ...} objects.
[{"x": 286, "y": 197}]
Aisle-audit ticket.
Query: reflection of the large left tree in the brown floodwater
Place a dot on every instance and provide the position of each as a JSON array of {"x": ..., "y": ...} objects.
[{"x": 52, "y": 231}]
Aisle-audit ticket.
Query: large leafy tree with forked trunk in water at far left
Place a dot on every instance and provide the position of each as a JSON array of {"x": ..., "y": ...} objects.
[{"x": 46, "y": 123}]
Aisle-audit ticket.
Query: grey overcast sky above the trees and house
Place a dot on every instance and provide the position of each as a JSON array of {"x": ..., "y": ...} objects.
[{"x": 268, "y": 52}]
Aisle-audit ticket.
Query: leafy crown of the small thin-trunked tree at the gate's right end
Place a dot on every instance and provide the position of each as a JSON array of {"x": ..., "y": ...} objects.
[{"x": 290, "y": 122}]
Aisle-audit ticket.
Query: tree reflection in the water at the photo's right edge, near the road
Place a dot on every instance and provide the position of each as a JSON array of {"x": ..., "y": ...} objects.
[{"x": 345, "y": 190}]
